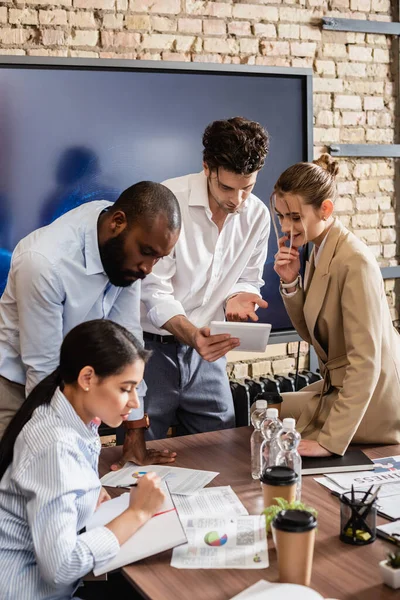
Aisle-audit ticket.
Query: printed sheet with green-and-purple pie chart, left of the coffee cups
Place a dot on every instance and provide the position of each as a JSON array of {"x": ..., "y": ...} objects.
[{"x": 223, "y": 543}]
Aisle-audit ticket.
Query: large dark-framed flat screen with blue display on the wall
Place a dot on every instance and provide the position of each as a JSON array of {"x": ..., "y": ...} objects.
[{"x": 76, "y": 131}]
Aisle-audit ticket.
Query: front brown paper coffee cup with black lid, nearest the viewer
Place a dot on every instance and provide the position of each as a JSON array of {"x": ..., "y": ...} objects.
[{"x": 293, "y": 532}]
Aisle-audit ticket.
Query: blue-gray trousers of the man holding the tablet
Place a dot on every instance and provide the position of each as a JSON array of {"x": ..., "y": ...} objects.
[{"x": 185, "y": 390}]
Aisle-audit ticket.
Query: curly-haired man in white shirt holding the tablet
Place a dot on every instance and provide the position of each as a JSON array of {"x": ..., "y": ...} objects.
[{"x": 215, "y": 268}]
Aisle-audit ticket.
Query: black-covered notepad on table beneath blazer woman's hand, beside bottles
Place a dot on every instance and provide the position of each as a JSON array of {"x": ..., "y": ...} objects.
[{"x": 353, "y": 460}]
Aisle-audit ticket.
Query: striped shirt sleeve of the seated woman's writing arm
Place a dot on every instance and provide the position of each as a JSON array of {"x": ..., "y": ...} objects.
[{"x": 53, "y": 483}]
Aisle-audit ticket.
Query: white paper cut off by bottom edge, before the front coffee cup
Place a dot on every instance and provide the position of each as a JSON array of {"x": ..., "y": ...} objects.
[{"x": 263, "y": 590}]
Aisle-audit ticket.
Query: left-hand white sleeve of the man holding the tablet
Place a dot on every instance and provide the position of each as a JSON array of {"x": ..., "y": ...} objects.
[{"x": 158, "y": 293}]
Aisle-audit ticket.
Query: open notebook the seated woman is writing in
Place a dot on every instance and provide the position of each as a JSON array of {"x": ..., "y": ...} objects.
[{"x": 163, "y": 532}]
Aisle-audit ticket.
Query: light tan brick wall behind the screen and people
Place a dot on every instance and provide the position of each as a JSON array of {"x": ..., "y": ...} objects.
[{"x": 354, "y": 96}]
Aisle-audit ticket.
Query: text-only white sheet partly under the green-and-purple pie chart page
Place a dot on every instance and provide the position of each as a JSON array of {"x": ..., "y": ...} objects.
[{"x": 210, "y": 501}]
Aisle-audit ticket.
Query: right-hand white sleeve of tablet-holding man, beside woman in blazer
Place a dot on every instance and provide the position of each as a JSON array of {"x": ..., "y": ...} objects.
[{"x": 251, "y": 279}]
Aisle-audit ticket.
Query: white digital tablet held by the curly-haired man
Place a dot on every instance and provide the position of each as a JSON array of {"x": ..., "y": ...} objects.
[{"x": 253, "y": 336}]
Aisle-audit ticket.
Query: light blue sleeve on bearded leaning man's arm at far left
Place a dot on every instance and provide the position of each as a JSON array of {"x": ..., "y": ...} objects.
[{"x": 39, "y": 296}]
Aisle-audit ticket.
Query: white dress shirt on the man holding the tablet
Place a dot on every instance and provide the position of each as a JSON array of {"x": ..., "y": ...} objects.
[{"x": 206, "y": 266}]
